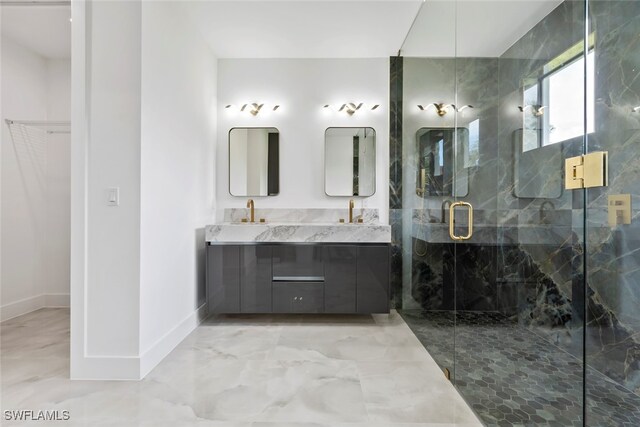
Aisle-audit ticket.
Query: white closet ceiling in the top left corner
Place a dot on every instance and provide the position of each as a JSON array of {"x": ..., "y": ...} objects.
[{"x": 45, "y": 30}]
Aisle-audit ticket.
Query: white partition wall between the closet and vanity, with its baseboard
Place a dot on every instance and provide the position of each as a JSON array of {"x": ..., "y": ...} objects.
[{"x": 145, "y": 124}]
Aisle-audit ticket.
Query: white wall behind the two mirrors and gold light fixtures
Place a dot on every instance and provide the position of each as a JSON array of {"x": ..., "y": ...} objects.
[{"x": 302, "y": 87}]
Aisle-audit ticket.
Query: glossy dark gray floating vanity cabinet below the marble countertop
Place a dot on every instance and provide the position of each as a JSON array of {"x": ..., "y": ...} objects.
[{"x": 298, "y": 278}]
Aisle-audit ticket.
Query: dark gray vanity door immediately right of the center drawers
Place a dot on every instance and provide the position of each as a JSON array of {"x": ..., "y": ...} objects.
[{"x": 340, "y": 279}]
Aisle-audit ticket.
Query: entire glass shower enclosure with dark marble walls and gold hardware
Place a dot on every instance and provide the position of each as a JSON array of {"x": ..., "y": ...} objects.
[{"x": 522, "y": 284}]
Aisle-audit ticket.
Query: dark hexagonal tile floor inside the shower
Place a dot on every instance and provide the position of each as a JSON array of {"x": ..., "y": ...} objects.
[{"x": 513, "y": 377}]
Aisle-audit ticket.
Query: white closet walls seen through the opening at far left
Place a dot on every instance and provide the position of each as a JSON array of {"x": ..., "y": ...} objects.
[{"x": 35, "y": 183}]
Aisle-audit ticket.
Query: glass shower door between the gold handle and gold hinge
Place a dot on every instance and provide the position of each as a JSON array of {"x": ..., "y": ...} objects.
[{"x": 519, "y": 299}]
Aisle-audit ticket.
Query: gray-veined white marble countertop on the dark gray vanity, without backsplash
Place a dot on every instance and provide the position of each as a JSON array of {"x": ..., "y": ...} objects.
[{"x": 317, "y": 232}]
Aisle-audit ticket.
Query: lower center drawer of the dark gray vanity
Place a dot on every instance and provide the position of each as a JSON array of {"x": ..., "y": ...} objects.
[{"x": 298, "y": 297}]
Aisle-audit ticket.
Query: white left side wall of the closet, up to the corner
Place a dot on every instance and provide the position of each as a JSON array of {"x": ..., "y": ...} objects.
[{"x": 23, "y": 181}]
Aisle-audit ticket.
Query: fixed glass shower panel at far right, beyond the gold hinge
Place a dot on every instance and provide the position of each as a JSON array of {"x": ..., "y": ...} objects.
[{"x": 612, "y": 337}]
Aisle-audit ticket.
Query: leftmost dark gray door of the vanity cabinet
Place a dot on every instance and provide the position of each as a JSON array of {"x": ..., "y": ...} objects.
[{"x": 223, "y": 279}]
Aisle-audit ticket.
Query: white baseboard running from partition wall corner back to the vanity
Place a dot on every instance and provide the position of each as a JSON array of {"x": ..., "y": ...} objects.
[{"x": 158, "y": 351}]
